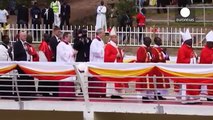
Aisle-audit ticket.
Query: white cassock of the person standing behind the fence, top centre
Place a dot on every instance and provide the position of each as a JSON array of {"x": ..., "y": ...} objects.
[{"x": 101, "y": 18}]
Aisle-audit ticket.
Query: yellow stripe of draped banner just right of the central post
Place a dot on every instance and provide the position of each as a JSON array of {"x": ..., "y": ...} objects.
[{"x": 120, "y": 73}]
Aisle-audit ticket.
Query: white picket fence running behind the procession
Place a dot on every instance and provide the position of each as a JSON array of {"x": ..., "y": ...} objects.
[{"x": 131, "y": 36}]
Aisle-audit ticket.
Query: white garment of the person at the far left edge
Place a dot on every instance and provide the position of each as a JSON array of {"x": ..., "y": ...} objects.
[{"x": 4, "y": 55}]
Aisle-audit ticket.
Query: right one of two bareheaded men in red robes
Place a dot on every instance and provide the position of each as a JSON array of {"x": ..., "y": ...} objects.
[{"x": 158, "y": 56}]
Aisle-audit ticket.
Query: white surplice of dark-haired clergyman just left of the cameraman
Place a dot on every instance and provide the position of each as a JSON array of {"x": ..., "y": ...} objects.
[{"x": 64, "y": 53}]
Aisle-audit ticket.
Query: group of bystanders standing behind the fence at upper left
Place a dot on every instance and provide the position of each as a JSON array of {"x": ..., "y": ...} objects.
[{"x": 55, "y": 14}]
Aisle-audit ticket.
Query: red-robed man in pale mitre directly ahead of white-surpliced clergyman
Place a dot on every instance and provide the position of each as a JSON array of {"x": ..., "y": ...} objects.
[{"x": 113, "y": 54}]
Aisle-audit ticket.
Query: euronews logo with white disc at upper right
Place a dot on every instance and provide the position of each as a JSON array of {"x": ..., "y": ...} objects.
[{"x": 185, "y": 15}]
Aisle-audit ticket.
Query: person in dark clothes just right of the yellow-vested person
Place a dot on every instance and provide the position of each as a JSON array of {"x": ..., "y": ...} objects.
[{"x": 65, "y": 14}]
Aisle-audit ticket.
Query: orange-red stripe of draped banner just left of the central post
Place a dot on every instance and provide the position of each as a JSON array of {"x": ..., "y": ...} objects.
[{"x": 31, "y": 71}]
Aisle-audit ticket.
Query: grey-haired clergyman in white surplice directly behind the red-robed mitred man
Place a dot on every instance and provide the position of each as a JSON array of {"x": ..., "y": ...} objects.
[{"x": 97, "y": 55}]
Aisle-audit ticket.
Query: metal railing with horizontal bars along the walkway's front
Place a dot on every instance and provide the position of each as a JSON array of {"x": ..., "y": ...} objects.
[{"x": 89, "y": 88}]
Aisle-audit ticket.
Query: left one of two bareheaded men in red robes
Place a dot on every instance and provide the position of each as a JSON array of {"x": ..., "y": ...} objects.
[{"x": 144, "y": 55}]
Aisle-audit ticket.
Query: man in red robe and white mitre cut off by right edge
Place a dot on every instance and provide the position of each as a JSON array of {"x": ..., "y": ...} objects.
[{"x": 206, "y": 57}]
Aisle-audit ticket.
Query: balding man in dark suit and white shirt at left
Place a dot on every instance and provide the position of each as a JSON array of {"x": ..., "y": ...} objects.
[{"x": 21, "y": 54}]
